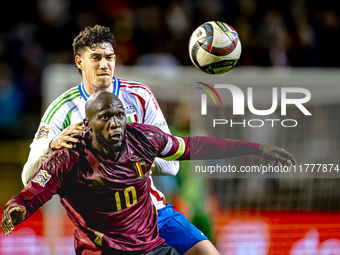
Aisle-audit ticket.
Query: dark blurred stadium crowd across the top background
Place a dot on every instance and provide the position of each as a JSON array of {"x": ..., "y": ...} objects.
[{"x": 37, "y": 33}]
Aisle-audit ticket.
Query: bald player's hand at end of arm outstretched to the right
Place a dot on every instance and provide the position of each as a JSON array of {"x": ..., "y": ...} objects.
[{"x": 277, "y": 154}]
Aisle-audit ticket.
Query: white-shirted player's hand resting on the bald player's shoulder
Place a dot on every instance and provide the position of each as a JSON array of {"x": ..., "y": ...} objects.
[{"x": 64, "y": 139}]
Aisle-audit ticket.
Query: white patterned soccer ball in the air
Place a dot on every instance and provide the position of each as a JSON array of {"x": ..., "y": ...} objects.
[{"x": 214, "y": 47}]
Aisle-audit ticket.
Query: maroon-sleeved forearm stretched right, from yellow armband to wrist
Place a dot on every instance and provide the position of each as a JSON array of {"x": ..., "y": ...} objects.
[{"x": 200, "y": 147}]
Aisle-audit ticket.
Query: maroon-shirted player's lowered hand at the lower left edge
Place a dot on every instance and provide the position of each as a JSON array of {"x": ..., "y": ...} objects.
[{"x": 10, "y": 217}]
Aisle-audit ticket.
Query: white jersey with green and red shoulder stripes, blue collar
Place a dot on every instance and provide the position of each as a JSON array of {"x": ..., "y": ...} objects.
[{"x": 140, "y": 106}]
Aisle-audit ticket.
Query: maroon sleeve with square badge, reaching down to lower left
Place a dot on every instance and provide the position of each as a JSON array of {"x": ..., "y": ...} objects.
[{"x": 45, "y": 183}]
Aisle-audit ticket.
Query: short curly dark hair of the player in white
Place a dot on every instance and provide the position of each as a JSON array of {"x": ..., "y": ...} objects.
[{"x": 91, "y": 37}]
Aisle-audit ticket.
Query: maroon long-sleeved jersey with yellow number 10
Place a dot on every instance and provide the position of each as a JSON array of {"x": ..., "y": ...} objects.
[{"x": 109, "y": 202}]
